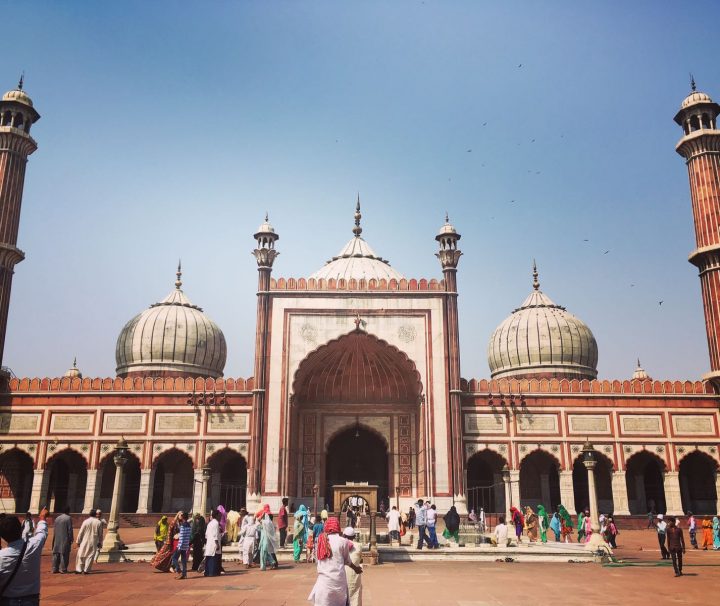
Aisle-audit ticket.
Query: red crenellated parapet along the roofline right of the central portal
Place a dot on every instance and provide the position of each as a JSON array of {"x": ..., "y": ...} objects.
[{"x": 576, "y": 386}]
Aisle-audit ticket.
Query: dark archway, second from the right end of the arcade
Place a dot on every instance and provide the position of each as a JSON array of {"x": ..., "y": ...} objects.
[{"x": 644, "y": 476}]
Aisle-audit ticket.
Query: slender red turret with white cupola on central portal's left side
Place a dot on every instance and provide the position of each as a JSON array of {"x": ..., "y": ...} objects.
[{"x": 265, "y": 255}]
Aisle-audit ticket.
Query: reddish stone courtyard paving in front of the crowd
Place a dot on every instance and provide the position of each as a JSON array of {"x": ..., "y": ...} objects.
[{"x": 642, "y": 579}]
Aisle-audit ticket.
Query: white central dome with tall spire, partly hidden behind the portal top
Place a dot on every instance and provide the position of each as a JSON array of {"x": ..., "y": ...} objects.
[{"x": 357, "y": 260}]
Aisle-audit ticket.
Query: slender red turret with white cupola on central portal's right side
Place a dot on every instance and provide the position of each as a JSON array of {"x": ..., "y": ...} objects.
[{"x": 449, "y": 255}]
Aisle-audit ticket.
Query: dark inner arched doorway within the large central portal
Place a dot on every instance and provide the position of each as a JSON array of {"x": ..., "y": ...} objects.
[{"x": 357, "y": 455}]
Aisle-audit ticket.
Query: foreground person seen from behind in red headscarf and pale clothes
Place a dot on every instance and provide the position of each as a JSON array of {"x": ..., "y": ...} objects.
[{"x": 333, "y": 554}]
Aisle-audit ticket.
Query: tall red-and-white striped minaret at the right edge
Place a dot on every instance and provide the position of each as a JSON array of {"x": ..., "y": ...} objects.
[{"x": 700, "y": 146}]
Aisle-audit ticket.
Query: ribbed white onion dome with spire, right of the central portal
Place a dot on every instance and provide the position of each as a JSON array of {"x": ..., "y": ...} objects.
[{"x": 541, "y": 339}]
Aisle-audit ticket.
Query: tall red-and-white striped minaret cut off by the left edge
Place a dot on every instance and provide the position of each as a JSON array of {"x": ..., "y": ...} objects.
[{"x": 17, "y": 115}]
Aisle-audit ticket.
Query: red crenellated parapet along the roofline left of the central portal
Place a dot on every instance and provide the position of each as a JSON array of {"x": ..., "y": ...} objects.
[{"x": 145, "y": 384}]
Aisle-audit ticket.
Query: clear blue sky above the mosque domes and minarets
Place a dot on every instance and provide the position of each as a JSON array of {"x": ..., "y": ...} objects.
[{"x": 169, "y": 128}]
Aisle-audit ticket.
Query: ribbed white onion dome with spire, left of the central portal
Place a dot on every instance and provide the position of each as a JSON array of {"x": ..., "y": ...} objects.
[{"x": 171, "y": 338}]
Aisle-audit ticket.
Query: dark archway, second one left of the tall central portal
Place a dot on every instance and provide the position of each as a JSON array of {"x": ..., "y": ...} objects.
[{"x": 172, "y": 482}]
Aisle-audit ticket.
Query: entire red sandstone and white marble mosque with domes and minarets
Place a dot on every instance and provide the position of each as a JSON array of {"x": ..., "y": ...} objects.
[{"x": 357, "y": 380}]
